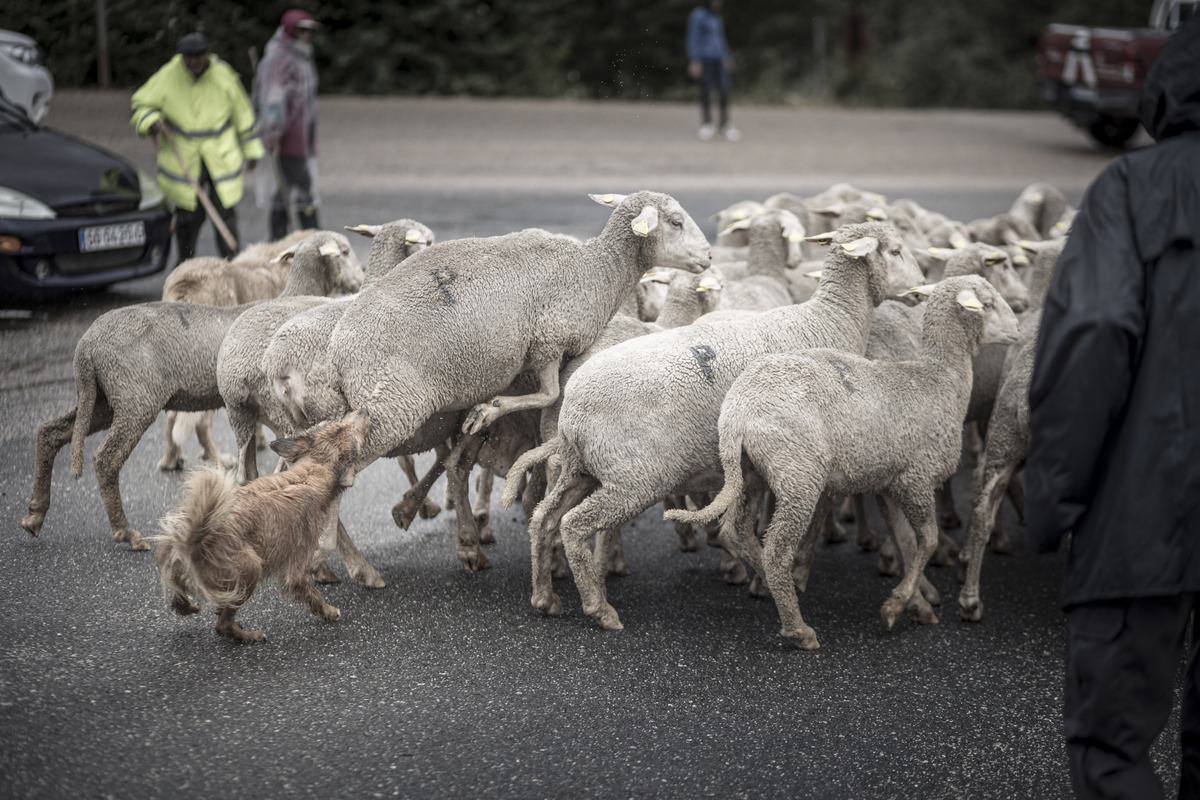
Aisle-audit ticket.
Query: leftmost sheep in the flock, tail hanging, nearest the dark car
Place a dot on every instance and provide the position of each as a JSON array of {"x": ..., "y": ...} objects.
[{"x": 139, "y": 360}]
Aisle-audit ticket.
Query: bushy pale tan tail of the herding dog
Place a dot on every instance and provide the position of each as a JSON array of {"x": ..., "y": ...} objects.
[{"x": 196, "y": 554}]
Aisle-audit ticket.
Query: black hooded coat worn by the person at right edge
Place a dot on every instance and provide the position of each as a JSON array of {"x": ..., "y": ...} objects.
[{"x": 1115, "y": 399}]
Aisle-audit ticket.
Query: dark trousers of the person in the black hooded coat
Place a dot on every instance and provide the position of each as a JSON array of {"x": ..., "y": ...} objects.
[{"x": 1123, "y": 658}]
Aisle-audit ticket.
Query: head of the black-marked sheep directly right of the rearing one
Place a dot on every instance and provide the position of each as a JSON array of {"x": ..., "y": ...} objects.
[{"x": 892, "y": 269}]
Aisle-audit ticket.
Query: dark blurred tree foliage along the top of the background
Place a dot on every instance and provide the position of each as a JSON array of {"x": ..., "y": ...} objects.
[{"x": 919, "y": 53}]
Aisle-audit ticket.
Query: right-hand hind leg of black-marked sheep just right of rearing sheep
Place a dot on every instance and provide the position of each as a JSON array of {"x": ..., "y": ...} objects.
[{"x": 604, "y": 509}]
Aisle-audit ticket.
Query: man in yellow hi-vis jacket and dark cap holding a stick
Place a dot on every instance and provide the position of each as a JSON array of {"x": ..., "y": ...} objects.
[{"x": 200, "y": 100}]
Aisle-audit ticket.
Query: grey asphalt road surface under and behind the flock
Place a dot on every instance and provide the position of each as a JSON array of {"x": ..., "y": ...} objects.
[{"x": 447, "y": 684}]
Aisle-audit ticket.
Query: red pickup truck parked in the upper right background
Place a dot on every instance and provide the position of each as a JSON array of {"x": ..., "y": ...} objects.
[{"x": 1095, "y": 75}]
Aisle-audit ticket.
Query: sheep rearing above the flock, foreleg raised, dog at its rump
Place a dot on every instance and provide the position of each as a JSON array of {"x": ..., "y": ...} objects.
[{"x": 478, "y": 312}]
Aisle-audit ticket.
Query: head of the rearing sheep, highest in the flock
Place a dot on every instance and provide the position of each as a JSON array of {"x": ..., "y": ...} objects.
[{"x": 674, "y": 240}]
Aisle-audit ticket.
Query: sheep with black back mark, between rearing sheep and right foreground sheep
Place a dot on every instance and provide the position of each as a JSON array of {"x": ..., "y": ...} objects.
[{"x": 639, "y": 420}]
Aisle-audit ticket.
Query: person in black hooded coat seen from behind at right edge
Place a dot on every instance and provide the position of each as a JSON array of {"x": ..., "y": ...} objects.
[{"x": 1115, "y": 449}]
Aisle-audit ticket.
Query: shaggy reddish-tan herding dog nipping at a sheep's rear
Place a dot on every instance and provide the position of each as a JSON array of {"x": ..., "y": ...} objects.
[{"x": 226, "y": 539}]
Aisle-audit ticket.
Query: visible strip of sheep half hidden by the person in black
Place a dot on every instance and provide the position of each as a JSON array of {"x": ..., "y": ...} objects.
[{"x": 1009, "y": 443}]
